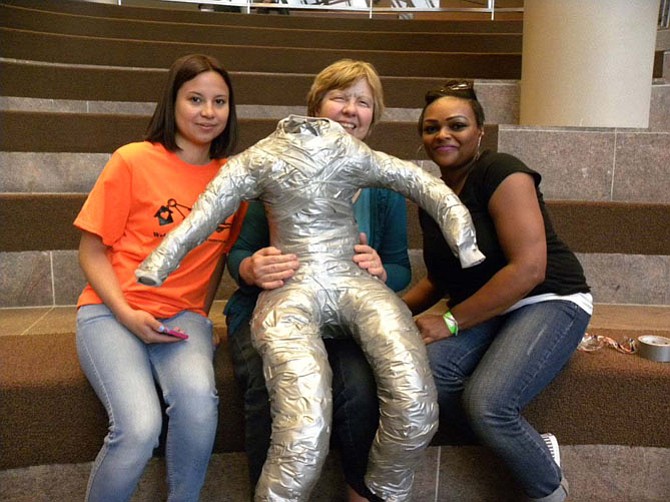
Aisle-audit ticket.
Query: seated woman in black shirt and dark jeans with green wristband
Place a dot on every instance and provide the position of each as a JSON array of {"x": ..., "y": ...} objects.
[{"x": 513, "y": 321}]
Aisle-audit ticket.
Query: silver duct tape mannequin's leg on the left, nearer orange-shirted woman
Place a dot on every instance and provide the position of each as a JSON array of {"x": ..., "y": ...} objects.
[{"x": 298, "y": 377}]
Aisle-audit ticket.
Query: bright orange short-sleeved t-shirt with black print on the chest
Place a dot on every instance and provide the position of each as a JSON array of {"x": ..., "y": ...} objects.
[{"x": 143, "y": 192}]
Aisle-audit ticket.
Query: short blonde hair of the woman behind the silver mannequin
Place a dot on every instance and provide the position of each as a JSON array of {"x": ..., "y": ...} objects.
[{"x": 340, "y": 75}]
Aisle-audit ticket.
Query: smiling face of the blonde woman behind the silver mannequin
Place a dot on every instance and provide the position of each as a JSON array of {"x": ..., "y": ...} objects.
[{"x": 352, "y": 107}]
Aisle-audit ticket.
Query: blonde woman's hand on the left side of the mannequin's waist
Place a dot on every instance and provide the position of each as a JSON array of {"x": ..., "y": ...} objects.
[{"x": 268, "y": 268}]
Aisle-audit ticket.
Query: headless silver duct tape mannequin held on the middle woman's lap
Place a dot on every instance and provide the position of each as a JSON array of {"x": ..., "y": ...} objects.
[{"x": 306, "y": 173}]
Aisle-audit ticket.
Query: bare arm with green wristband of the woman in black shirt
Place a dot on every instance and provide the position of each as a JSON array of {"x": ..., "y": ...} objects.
[{"x": 518, "y": 220}]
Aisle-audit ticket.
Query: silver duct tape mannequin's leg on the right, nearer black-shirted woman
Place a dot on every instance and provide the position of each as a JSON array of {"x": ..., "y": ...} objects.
[{"x": 408, "y": 399}]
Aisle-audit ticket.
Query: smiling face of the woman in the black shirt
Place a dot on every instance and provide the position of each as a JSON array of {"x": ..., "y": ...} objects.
[{"x": 450, "y": 132}]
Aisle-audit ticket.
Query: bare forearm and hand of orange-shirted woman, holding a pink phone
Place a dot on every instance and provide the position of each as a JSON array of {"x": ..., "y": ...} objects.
[{"x": 99, "y": 273}]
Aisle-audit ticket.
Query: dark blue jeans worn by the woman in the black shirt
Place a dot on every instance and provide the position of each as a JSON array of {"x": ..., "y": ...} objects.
[{"x": 487, "y": 374}]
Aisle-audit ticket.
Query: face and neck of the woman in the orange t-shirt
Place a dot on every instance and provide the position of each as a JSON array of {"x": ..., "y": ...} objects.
[{"x": 201, "y": 114}]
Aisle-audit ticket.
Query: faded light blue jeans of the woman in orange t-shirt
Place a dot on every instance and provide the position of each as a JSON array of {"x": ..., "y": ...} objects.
[{"x": 125, "y": 372}]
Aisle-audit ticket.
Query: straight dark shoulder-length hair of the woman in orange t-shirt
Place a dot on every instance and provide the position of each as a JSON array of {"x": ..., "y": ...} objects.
[{"x": 162, "y": 127}]
